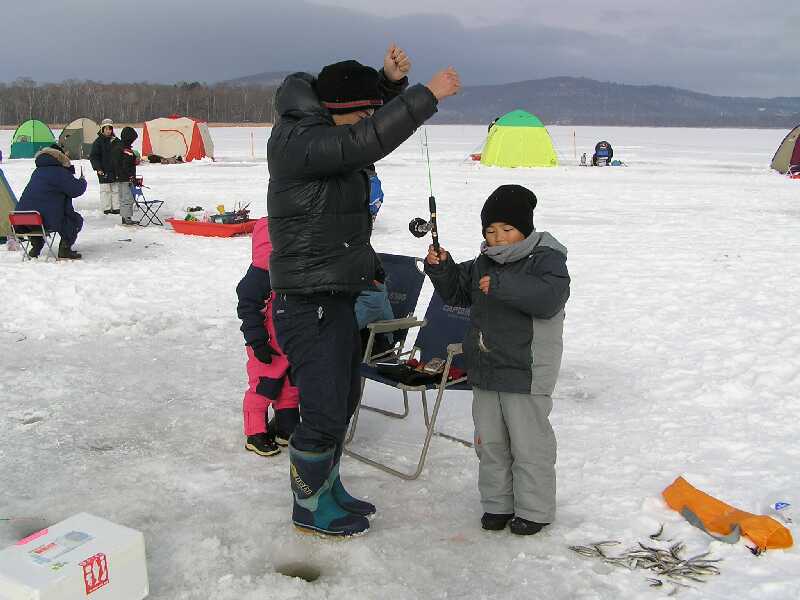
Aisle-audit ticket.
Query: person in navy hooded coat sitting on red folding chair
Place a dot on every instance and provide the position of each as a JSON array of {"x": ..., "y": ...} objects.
[{"x": 50, "y": 191}]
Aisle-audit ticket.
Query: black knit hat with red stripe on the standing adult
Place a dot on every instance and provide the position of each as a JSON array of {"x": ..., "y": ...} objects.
[{"x": 348, "y": 86}]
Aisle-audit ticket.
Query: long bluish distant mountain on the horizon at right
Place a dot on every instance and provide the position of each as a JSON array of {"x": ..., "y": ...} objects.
[{"x": 581, "y": 101}]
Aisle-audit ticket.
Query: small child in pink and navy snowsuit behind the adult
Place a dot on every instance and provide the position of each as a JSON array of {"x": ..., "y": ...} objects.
[{"x": 267, "y": 365}]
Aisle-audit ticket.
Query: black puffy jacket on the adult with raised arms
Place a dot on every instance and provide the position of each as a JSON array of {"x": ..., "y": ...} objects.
[{"x": 318, "y": 195}]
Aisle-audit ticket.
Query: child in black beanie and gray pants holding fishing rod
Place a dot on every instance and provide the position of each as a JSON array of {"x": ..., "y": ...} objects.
[{"x": 517, "y": 288}]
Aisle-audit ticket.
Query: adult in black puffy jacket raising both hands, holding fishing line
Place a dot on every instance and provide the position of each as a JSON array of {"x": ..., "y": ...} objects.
[{"x": 330, "y": 130}]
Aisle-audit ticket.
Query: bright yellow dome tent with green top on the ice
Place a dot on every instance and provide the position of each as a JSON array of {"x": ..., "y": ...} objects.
[{"x": 519, "y": 139}]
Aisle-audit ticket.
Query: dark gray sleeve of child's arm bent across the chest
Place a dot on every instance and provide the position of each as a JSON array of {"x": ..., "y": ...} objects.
[{"x": 540, "y": 290}]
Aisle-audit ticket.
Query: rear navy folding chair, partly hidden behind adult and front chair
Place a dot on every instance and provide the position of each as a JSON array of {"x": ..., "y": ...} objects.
[{"x": 404, "y": 279}]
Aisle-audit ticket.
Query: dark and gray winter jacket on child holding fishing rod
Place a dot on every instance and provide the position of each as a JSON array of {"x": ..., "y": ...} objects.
[{"x": 514, "y": 342}]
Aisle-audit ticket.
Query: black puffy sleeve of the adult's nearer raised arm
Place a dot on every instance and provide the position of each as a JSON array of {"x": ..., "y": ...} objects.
[{"x": 320, "y": 150}]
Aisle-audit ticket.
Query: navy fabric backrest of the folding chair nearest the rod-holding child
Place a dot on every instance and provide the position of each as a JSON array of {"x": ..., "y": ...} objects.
[{"x": 446, "y": 325}]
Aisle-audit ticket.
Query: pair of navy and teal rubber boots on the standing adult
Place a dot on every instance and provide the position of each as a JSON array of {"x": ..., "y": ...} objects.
[{"x": 315, "y": 509}]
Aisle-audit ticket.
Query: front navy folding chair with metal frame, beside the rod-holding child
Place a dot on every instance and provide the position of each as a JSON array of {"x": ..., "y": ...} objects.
[{"x": 440, "y": 336}]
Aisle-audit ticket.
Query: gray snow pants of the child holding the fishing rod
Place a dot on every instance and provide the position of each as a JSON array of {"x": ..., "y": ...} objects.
[{"x": 516, "y": 447}]
